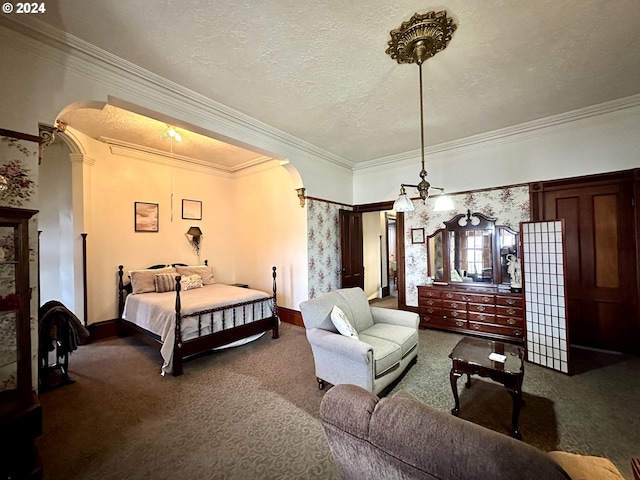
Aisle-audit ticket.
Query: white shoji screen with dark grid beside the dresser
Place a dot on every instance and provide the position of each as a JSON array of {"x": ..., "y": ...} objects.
[{"x": 543, "y": 267}]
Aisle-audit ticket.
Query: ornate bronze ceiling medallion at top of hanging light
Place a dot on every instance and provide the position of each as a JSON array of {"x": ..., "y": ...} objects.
[{"x": 421, "y": 37}]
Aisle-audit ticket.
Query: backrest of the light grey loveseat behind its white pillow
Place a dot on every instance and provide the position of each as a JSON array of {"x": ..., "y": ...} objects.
[{"x": 316, "y": 313}]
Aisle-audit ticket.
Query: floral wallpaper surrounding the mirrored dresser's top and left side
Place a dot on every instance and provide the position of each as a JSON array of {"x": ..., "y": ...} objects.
[{"x": 509, "y": 205}]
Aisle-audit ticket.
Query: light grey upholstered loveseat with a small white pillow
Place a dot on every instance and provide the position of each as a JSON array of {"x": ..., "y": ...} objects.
[{"x": 386, "y": 343}]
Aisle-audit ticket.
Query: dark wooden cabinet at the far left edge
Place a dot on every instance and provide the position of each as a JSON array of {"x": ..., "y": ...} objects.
[{"x": 20, "y": 411}]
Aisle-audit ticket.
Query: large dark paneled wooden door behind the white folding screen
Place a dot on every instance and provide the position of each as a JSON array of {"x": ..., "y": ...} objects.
[{"x": 601, "y": 258}]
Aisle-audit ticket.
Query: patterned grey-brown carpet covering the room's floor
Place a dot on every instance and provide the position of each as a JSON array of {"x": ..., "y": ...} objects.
[{"x": 252, "y": 411}]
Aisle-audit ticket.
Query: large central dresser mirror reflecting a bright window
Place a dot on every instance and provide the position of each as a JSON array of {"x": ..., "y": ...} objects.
[{"x": 471, "y": 256}]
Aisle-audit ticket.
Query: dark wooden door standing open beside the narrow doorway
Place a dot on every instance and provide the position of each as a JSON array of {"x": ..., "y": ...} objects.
[{"x": 351, "y": 250}]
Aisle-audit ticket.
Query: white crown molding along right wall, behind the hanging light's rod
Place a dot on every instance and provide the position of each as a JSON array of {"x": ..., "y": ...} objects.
[{"x": 510, "y": 134}]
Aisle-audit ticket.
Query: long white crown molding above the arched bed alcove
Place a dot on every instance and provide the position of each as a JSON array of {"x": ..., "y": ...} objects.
[{"x": 72, "y": 53}]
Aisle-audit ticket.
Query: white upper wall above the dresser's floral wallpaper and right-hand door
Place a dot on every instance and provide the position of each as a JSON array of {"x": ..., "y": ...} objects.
[{"x": 606, "y": 140}]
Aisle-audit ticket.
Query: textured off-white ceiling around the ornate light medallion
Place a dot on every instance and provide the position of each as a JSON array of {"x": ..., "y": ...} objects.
[{"x": 318, "y": 70}]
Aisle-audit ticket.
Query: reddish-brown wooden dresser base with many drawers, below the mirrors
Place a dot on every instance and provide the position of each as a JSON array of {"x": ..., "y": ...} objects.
[{"x": 483, "y": 311}]
